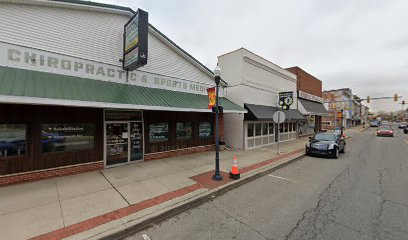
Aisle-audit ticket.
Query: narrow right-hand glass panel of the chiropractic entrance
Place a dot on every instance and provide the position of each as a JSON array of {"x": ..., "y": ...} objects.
[{"x": 136, "y": 141}]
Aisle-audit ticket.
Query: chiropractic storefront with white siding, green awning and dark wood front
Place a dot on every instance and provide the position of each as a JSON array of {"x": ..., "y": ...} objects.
[{"x": 67, "y": 105}]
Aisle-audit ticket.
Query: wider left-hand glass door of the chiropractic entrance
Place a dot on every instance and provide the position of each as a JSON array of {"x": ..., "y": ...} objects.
[{"x": 117, "y": 143}]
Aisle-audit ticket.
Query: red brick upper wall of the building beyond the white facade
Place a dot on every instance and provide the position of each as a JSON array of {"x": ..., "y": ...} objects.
[{"x": 306, "y": 82}]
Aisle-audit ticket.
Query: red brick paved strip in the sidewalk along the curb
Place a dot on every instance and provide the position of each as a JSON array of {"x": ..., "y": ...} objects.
[{"x": 204, "y": 181}]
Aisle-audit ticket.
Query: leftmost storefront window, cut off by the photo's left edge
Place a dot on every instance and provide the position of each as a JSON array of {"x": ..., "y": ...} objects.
[{"x": 12, "y": 140}]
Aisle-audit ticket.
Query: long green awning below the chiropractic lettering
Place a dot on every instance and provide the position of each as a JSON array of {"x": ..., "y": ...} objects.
[{"x": 26, "y": 86}]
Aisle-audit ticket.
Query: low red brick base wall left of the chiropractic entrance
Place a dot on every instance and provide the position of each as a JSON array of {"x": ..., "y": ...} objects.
[{"x": 49, "y": 173}]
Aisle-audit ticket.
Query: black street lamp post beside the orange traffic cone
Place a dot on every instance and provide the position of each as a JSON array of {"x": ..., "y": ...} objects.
[{"x": 217, "y": 77}]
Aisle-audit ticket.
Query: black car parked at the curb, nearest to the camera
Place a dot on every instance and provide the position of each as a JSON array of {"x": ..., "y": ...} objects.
[{"x": 326, "y": 144}]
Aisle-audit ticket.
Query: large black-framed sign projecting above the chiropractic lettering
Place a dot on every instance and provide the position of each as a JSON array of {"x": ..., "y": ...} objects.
[{"x": 135, "y": 41}]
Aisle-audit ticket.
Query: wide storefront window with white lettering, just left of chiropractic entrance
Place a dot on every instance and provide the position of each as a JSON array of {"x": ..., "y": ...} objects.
[{"x": 67, "y": 137}]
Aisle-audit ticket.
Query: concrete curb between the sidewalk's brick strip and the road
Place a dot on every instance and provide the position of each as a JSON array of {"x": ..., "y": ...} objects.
[{"x": 161, "y": 215}]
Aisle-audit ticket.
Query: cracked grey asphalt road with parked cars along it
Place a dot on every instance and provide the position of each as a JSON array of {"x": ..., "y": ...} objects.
[{"x": 361, "y": 195}]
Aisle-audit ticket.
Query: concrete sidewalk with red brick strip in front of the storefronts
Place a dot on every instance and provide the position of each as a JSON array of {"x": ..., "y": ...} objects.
[{"x": 69, "y": 205}]
